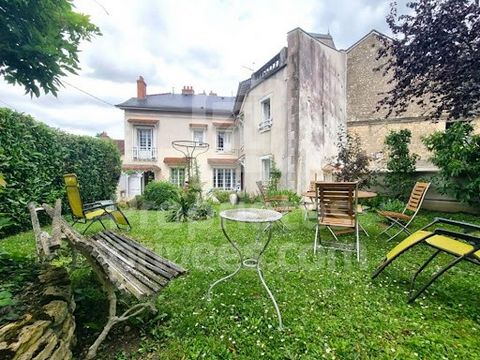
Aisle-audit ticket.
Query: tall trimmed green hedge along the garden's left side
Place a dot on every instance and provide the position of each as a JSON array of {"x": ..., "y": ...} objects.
[{"x": 33, "y": 159}]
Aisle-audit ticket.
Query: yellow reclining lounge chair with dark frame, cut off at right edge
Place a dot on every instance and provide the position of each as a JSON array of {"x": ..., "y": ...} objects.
[{"x": 461, "y": 245}]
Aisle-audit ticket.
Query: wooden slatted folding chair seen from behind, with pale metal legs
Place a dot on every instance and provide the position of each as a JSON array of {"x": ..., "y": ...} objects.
[{"x": 337, "y": 208}]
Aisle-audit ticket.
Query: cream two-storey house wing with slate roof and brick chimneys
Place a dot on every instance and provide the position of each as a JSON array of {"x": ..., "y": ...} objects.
[{"x": 152, "y": 122}]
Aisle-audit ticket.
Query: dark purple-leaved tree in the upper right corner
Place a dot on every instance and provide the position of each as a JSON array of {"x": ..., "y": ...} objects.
[{"x": 434, "y": 58}]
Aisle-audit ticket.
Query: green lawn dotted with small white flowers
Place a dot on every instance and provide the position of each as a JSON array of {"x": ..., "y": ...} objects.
[{"x": 330, "y": 307}]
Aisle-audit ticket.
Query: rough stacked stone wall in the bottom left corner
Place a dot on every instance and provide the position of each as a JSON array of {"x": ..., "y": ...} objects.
[{"x": 47, "y": 329}]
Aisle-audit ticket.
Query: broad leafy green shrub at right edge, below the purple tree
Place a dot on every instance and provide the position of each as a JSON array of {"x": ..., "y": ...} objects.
[{"x": 456, "y": 152}]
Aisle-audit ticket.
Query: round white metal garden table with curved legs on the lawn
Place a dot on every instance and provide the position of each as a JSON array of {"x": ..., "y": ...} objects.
[{"x": 255, "y": 216}]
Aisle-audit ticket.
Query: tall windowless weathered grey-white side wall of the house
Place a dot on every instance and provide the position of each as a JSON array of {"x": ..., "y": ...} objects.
[{"x": 318, "y": 95}]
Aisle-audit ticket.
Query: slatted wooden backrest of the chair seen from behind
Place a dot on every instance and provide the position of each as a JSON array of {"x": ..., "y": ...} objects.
[{"x": 337, "y": 202}]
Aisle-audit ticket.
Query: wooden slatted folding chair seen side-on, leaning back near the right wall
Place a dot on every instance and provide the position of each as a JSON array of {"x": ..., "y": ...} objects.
[{"x": 403, "y": 219}]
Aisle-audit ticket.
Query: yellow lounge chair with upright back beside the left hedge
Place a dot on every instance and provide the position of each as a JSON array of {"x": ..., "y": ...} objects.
[{"x": 92, "y": 212}]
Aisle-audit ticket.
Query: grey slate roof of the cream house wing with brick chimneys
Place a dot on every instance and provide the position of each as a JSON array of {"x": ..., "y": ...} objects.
[{"x": 202, "y": 104}]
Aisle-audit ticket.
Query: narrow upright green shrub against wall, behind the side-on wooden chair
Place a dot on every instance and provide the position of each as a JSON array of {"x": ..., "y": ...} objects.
[{"x": 399, "y": 179}]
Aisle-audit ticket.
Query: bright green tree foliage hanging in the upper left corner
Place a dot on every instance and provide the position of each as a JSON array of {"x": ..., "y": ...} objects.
[{"x": 39, "y": 42}]
